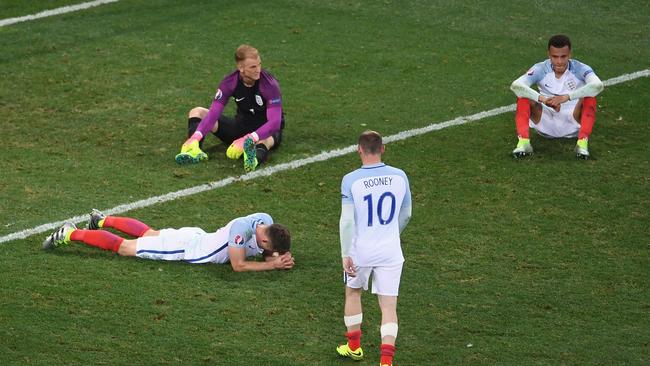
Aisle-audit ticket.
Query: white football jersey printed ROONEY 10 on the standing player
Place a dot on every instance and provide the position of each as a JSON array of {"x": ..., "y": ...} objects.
[{"x": 378, "y": 193}]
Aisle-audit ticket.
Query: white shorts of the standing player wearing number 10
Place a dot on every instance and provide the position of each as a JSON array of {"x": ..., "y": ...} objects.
[{"x": 385, "y": 280}]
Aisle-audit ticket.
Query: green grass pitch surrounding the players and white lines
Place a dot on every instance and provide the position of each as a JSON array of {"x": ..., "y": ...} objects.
[{"x": 537, "y": 262}]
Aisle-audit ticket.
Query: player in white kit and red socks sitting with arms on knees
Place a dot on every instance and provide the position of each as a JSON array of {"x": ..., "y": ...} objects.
[{"x": 564, "y": 107}]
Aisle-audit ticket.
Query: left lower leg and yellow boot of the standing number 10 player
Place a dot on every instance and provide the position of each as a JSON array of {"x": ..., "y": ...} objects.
[{"x": 353, "y": 319}]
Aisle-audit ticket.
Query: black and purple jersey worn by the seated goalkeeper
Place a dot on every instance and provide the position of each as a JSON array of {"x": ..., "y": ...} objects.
[{"x": 261, "y": 103}]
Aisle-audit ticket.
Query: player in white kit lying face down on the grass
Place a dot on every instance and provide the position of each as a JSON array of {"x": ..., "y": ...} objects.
[{"x": 242, "y": 237}]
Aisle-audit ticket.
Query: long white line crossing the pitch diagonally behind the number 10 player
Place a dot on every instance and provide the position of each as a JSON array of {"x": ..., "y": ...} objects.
[{"x": 288, "y": 166}]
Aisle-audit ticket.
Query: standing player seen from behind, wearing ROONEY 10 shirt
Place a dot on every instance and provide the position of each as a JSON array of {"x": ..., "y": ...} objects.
[{"x": 376, "y": 206}]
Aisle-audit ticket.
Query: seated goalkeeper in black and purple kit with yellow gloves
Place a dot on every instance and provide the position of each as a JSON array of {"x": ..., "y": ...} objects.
[{"x": 257, "y": 126}]
